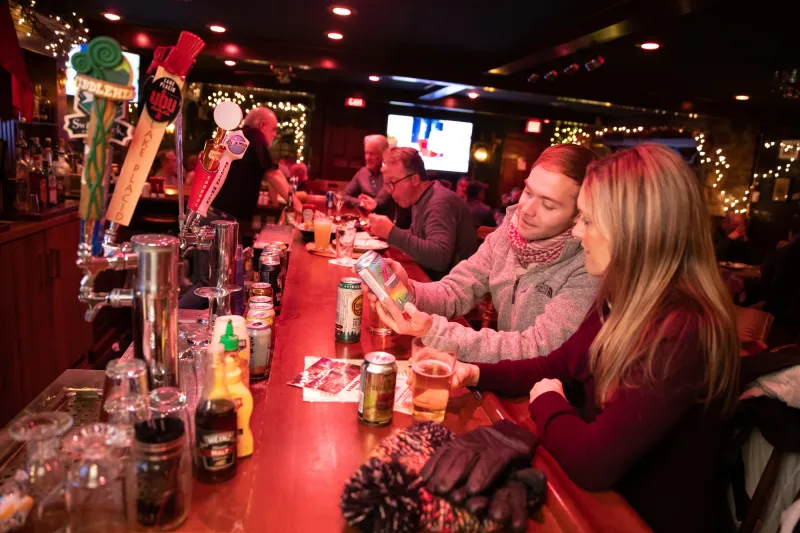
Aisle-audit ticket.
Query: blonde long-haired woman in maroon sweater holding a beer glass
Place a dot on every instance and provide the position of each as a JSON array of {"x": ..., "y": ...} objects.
[{"x": 657, "y": 360}]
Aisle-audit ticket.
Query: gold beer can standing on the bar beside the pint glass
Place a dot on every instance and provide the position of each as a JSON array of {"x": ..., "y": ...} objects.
[{"x": 378, "y": 380}]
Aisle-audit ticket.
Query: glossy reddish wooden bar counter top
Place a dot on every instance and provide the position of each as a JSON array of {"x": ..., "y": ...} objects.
[{"x": 305, "y": 452}]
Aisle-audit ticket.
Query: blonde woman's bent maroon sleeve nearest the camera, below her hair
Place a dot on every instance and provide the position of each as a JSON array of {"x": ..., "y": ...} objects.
[{"x": 595, "y": 455}]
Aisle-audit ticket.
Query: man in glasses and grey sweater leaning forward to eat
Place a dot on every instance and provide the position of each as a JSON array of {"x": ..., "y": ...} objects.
[{"x": 441, "y": 233}]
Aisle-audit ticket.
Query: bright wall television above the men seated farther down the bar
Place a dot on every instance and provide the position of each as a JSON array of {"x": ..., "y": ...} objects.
[{"x": 443, "y": 144}]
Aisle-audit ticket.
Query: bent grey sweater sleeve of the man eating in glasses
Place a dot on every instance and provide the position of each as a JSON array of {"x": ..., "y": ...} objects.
[{"x": 435, "y": 251}]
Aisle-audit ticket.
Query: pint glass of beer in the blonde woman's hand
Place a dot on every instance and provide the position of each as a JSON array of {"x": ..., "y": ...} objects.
[{"x": 433, "y": 361}]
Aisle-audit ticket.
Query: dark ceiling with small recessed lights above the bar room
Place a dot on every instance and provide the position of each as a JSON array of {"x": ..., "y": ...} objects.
[{"x": 711, "y": 50}]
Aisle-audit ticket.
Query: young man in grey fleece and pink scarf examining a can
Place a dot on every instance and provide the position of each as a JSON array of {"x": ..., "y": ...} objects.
[{"x": 531, "y": 265}]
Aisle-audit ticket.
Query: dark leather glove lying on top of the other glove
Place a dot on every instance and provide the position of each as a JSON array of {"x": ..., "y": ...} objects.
[{"x": 479, "y": 457}]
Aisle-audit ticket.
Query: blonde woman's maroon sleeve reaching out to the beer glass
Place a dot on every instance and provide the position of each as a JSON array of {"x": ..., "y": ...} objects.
[{"x": 516, "y": 378}]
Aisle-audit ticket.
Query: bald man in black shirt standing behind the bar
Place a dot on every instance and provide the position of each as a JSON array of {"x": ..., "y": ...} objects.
[{"x": 239, "y": 196}]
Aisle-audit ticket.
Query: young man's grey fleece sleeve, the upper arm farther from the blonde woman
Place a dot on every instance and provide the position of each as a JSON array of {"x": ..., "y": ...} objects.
[{"x": 462, "y": 289}]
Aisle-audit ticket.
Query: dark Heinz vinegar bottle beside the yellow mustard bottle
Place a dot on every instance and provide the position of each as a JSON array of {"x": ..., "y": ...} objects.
[{"x": 215, "y": 425}]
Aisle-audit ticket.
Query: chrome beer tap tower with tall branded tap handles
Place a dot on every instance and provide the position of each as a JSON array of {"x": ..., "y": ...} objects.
[{"x": 104, "y": 72}]
